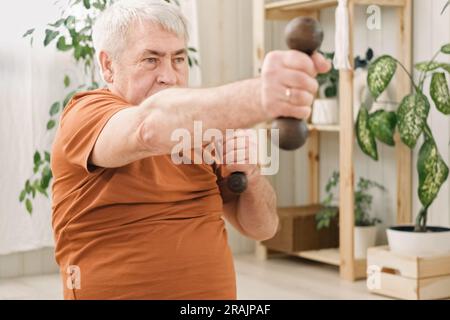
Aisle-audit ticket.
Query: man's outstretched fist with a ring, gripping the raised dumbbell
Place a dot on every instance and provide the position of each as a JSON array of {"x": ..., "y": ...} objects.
[{"x": 289, "y": 83}]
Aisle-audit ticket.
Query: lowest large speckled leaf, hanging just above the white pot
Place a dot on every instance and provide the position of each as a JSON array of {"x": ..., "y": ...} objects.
[{"x": 433, "y": 172}]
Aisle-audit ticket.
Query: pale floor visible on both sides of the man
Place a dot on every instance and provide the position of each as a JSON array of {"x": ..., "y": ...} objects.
[{"x": 278, "y": 278}]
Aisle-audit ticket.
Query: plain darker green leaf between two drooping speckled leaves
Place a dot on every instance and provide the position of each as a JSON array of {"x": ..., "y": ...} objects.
[{"x": 382, "y": 124}]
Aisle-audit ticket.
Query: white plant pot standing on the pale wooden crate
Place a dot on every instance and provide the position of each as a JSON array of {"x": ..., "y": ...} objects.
[{"x": 404, "y": 241}]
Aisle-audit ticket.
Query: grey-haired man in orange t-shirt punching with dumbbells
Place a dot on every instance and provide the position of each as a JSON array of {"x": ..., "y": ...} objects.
[{"x": 128, "y": 222}]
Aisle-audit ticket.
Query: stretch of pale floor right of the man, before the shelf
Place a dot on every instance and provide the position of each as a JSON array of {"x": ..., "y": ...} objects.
[{"x": 294, "y": 278}]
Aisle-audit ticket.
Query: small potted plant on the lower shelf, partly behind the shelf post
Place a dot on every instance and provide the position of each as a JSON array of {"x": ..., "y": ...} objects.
[{"x": 365, "y": 230}]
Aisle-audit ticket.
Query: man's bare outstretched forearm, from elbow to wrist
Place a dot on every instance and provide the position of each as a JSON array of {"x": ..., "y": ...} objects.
[{"x": 236, "y": 105}]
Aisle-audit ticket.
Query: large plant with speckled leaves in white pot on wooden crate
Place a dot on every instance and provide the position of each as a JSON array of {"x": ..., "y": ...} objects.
[{"x": 410, "y": 119}]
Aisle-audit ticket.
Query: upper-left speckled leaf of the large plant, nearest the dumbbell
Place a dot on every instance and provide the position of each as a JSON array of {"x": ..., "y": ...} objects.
[{"x": 380, "y": 73}]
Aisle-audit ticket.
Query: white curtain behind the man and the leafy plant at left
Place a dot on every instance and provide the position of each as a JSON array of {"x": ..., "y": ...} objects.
[{"x": 31, "y": 79}]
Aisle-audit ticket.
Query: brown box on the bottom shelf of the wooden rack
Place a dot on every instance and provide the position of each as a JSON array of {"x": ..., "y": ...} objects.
[{"x": 297, "y": 231}]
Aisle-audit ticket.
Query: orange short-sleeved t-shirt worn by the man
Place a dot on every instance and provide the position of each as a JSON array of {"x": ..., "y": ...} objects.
[{"x": 148, "y": 230}]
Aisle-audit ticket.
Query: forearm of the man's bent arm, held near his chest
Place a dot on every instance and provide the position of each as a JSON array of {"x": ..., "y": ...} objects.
[{"x": 257, "y": 209}]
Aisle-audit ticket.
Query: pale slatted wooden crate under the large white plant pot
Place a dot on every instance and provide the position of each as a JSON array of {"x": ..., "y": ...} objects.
[{"x": 408, "y": 277}]
